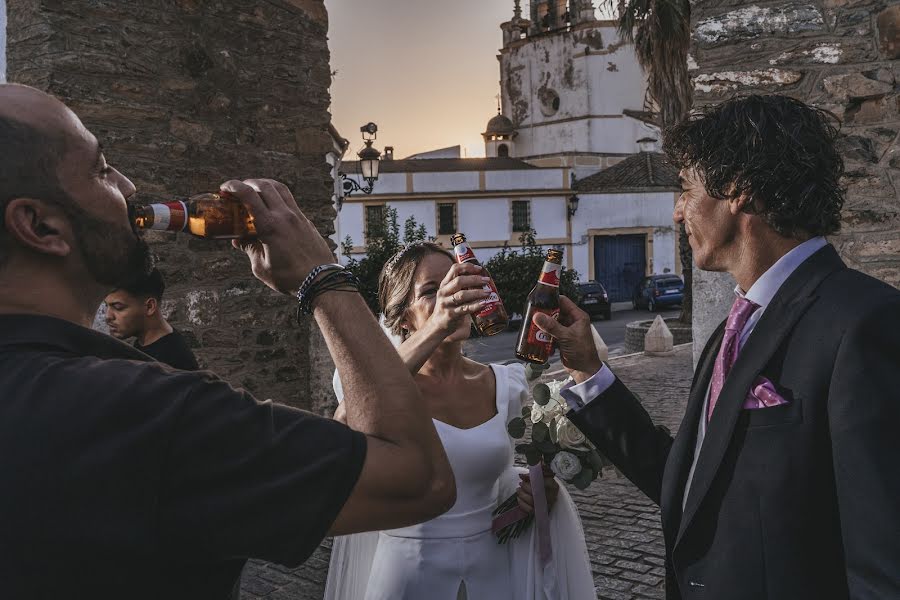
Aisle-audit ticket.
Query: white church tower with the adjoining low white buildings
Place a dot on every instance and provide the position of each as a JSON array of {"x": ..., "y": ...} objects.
[{"x": 571, "y": 155}]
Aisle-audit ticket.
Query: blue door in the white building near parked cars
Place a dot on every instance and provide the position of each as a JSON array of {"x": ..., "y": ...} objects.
[{"x": 620, "y": 261}]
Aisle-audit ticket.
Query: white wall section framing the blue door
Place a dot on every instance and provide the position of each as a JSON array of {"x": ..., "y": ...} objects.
[{"x": 625, "y": 211}]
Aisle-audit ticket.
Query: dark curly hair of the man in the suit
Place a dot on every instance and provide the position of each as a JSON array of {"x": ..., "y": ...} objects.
[{"x": 776, "y": 150}]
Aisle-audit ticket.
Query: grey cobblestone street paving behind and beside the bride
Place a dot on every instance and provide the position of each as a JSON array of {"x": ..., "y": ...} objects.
[{"x": 621, "y": 525}]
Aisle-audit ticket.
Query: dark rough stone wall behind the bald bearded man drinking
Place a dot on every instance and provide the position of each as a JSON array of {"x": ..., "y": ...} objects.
[{"x": 185, "y": 94}]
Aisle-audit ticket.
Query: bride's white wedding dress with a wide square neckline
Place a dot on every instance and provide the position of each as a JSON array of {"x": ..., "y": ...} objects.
[{"x": 455, "y": 556}]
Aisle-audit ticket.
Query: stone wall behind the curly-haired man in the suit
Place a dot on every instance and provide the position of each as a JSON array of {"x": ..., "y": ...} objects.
[{"x": 841, "y": 55}]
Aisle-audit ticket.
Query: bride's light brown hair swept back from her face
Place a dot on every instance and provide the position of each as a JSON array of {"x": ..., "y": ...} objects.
[{"x": 396, "y": 282}]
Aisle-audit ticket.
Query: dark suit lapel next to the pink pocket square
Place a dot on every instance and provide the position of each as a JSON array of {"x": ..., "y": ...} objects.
[{"x": 779, "y": 318}]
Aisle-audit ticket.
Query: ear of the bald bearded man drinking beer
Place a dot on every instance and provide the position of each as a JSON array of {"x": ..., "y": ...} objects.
[{"x": 40, "y": 228}]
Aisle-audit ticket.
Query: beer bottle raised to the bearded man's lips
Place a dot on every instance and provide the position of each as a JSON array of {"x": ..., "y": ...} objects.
[{"x": 210, "y": 216}]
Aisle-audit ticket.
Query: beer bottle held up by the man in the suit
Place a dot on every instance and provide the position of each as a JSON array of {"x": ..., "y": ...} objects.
[{"x": 534, "y": 345}]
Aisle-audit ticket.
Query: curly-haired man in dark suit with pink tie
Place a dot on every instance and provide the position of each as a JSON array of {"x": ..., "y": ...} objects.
[{"x": 783, "y": 481}]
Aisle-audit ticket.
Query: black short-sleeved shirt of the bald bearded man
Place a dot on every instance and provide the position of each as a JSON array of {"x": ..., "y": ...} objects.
[{"x": 123, "y": 478}]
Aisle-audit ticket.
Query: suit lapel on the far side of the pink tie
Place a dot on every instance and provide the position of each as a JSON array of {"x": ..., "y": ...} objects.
[{"x": 682, "y": 453}]
